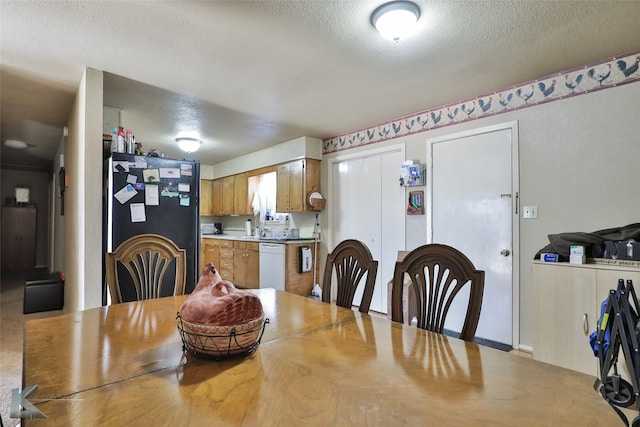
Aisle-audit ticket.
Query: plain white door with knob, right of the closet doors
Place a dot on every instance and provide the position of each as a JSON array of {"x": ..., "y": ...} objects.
[{"x": 471, "y": 207}]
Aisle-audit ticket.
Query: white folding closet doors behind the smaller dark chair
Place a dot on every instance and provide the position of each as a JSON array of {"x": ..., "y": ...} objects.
[{"x": 368, "y": 205}]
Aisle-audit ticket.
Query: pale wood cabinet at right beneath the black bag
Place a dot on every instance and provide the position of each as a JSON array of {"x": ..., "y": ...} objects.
[{"x": 567, "y": 301}]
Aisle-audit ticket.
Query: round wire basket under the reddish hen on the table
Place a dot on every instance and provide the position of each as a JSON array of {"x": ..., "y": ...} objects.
[{"x": 221, "y": 341}]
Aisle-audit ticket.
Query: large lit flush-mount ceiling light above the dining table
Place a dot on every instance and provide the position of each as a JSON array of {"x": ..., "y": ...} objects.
[{"x": 395, "y": 20}]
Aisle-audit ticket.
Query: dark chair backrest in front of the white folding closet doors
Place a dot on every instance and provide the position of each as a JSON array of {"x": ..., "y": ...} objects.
[{"x": 351, "y": 260}]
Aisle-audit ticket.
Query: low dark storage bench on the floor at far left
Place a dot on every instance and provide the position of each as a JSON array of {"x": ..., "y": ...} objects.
[{"x": 44, "y": 291}]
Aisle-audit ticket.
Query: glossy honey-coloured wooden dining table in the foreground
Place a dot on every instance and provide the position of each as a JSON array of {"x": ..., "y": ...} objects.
[{"x": 317, "y": 364}]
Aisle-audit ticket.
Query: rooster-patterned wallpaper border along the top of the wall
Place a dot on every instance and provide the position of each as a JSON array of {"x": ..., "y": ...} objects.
[{"x": 605, "y": 74}]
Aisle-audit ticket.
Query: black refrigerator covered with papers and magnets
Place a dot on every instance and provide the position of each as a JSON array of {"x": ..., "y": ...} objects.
[{"x": 152, "y": 195}]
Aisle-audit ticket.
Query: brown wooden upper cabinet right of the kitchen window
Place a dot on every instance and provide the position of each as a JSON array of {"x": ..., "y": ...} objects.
[{"x": 295, "y": 180}]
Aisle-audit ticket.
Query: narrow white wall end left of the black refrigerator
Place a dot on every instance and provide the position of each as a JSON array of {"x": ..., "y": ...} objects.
[{"x": 82, "y": 218}]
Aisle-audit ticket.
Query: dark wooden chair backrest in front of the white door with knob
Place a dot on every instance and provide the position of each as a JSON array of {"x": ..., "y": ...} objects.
[{"x": 437, "y": 273}]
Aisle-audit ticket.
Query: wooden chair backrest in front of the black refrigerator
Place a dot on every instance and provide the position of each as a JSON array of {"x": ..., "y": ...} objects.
[{"x": 146, "y": 257}]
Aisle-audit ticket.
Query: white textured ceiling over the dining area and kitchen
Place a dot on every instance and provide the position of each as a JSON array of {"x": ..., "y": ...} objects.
[{"x": 250, "y": 74}]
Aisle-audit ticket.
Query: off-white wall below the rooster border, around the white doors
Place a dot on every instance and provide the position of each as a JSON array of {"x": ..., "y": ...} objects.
[{"x": 578, "y": 164}]
